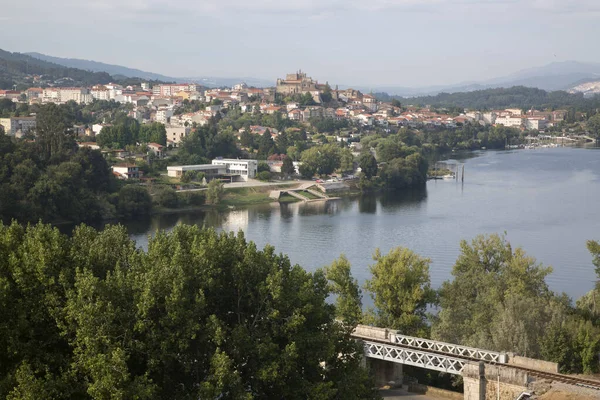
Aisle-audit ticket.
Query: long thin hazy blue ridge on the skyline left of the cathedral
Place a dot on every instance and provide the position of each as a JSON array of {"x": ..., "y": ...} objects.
[{"x": 112, "y": 69}]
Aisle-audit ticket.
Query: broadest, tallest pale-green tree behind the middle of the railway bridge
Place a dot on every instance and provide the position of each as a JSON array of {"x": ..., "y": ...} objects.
[{"x": 498, "y": 299}]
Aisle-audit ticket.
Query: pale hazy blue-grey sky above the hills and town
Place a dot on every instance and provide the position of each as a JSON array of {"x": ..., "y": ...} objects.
[{"x": 361, "y": 42}]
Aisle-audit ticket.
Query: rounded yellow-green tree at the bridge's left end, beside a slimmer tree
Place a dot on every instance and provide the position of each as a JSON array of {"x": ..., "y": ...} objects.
[{"x": 401, "y": 291}]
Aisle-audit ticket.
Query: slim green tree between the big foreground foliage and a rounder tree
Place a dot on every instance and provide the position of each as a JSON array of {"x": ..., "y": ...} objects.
[{"x": 348, "y": 303}]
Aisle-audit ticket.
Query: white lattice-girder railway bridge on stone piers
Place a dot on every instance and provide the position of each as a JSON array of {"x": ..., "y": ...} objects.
[{"x": 486, "y": 374}]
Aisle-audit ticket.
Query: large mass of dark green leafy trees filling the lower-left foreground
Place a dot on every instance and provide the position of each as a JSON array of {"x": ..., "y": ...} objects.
[{"x": 197, "y": 315}]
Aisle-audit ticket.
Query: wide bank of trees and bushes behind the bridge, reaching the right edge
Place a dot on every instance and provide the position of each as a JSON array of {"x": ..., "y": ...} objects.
[{"x": 499, "y": 300}]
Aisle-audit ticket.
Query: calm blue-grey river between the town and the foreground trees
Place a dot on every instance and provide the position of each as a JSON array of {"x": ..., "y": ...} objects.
[{"x": 545, "y": 200}]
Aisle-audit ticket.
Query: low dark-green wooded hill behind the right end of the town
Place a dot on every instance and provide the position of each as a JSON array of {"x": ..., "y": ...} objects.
[{"x": 517, "y": 96}]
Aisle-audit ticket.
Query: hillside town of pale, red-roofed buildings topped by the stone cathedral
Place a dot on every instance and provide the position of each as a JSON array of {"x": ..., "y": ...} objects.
[{"x": 295, "y": 114}]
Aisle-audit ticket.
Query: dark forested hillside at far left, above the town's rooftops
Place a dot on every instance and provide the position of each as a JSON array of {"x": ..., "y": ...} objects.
[{"x": 16, "y": 67}]
